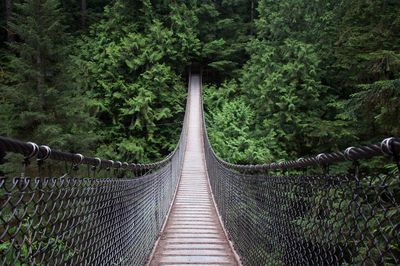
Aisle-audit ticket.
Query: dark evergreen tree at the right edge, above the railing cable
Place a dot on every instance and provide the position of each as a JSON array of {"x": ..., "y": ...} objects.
[{"x": 367, "y": 53}]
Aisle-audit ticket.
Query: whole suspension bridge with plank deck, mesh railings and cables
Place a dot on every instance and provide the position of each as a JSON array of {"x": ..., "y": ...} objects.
[{"x": 194, "y": 208}]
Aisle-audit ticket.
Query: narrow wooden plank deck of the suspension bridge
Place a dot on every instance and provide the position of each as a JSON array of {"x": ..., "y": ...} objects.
[{"x": 193, "y": 234}]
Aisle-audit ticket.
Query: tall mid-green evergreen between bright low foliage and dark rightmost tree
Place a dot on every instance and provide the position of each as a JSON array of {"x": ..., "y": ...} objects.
[{"x": 283, "y": 82}]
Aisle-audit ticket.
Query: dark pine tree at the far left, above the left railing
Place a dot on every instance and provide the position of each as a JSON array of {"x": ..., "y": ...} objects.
[{"x": 40, "y": 102}]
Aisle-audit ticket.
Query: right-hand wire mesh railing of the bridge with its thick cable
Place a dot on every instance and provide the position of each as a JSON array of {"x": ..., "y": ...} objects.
[{"x": 284, "y": 214}]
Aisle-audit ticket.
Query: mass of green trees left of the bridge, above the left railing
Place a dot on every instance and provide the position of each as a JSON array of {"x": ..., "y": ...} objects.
[{"x": 123, "y": 80}]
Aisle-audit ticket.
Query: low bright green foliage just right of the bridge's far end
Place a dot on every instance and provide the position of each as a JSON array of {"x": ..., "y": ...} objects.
[{"x": 232, "y": 130}]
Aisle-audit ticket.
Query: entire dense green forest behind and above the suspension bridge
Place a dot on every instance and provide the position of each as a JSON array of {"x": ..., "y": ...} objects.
[{"x": 284, "y": 78}]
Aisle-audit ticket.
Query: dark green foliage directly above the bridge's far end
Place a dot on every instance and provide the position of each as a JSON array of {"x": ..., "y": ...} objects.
[{"x": 224, "y": 30}]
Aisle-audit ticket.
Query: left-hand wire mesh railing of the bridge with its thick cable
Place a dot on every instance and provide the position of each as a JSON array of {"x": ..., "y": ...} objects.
[{"x": 73, "y": 219}]
